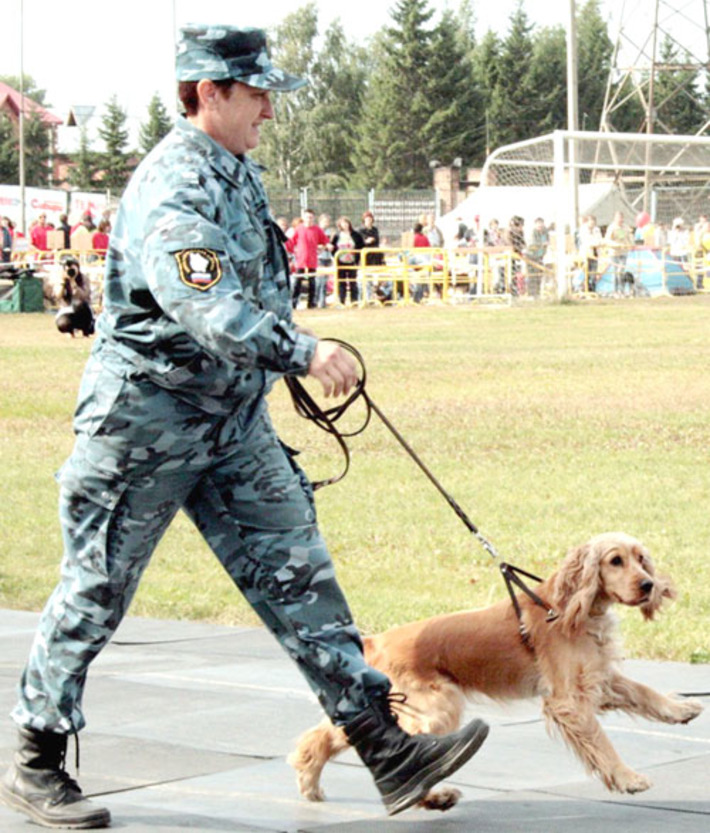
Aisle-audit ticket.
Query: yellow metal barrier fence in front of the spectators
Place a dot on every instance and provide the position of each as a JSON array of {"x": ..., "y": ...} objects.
[{"x": 401, "y": 276}]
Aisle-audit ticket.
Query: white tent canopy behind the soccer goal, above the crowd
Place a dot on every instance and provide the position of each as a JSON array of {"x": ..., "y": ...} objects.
[{"x": 529, "y": 202}]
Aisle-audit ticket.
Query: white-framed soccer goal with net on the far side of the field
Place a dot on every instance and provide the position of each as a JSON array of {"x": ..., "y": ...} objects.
[{"x": 577, "y": 173}]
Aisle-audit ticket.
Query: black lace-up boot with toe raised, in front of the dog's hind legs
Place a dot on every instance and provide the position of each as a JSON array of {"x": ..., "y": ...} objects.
[{"x": 405, "y": 767}]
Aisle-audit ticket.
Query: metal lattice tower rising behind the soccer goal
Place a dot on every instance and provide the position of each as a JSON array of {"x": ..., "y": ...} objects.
[{"x": 642, "y": 72}]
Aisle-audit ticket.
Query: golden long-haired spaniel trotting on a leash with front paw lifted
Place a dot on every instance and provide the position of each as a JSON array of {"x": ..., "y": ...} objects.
[{"x": 572, "y": 664}]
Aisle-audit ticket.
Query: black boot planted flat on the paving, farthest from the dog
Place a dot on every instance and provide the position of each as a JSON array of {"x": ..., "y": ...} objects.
[{"x": 38, "y": 785}]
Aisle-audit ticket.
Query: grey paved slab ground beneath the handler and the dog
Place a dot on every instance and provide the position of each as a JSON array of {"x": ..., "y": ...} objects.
[{"x": 190, "y": 725}]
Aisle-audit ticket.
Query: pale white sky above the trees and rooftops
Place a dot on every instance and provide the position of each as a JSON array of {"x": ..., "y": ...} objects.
[{"x": 82, "y": 53}]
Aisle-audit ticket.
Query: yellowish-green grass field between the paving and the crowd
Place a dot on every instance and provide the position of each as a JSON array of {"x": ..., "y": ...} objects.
[{"x": 548, "y": 424}]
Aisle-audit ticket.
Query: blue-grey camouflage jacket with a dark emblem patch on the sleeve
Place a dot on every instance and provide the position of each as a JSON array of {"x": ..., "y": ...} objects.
[{"x": 196, "y": 295}]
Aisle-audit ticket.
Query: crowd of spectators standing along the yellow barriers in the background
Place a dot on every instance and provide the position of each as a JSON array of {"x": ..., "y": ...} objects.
[{"x": 321, "y": 249}]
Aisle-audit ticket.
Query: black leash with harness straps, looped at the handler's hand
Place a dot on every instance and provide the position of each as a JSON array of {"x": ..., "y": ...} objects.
[{"x": 308, "y": 408}]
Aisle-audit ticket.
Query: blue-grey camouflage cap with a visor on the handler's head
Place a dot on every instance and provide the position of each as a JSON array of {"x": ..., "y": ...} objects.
[{"x": 221, "y": 52}]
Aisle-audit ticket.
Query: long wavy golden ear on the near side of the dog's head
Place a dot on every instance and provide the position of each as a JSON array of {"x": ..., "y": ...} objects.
[{"x": 576, "y": 587}]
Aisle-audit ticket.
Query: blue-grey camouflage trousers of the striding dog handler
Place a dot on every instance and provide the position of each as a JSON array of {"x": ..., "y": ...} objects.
[{"x": 141, "y": 454}]
